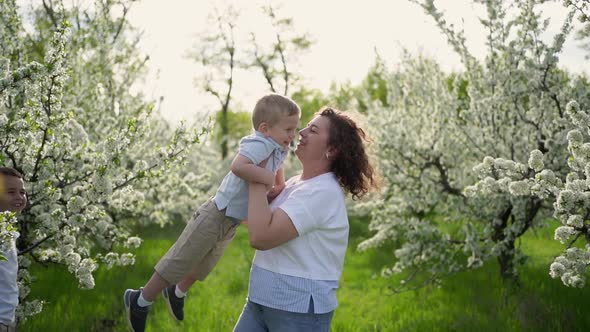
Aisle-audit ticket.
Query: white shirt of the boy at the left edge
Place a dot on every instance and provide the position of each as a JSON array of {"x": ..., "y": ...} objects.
[{"x": 8, "y": 285}]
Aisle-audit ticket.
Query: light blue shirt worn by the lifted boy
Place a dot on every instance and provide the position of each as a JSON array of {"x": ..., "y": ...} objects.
[{"x": 232, "y": 194}]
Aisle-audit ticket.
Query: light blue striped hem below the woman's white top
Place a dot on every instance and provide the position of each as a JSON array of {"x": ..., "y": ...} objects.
[{"x": 289, "y": 293}]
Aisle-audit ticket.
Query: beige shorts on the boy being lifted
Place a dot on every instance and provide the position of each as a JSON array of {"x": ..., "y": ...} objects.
[{"x": 199, "y": 247}]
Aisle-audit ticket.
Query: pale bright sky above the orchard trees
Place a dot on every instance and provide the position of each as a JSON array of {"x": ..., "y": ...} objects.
[{"x": 346, "y": 35}]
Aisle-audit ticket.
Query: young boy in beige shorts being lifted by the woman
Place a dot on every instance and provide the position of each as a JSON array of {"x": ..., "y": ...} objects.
[{"x": 211, "y": 228}]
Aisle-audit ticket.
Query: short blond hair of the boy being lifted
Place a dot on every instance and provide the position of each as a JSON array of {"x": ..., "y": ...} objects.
[{"x": 271, "y": 108}]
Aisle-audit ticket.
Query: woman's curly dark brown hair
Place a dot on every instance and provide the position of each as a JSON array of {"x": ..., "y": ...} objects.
[{"x": 351, "y": 164}]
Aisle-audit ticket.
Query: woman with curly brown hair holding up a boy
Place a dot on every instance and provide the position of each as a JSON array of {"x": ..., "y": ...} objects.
[{"x": 301, "y": 237}]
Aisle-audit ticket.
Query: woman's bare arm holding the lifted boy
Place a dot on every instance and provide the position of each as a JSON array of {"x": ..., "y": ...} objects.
[{"x": 266, "y": 229}]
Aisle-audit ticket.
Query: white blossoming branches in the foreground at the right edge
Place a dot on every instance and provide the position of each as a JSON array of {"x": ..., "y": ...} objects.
[{"x": 570, "y": 196}]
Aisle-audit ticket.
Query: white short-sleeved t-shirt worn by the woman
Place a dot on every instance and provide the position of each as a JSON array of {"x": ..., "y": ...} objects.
[{"x": 318, "y": 212}]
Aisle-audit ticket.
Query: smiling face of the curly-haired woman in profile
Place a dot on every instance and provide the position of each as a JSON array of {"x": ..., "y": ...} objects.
[{"x": 313, "y": 139}]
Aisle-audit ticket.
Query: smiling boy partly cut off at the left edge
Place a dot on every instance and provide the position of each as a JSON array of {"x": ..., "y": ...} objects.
[{"x": 13, "y": 198}]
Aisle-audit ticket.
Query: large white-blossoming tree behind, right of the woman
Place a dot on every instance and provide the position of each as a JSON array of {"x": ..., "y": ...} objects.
[{"x": 435, "y": 128}]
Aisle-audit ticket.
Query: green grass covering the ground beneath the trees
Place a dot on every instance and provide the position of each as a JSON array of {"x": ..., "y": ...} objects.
[{"x": 476, "y": 301}]
